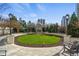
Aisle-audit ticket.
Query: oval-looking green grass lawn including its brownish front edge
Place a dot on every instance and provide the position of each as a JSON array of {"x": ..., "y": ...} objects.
[{"x": 37, "y": 40}]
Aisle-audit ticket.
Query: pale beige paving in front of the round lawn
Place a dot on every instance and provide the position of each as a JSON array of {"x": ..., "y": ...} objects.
[{"x": 15, "y": 50}]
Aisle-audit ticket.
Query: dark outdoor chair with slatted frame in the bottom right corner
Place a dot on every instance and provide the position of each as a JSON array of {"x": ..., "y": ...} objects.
[{"x": 71, "y": 48}]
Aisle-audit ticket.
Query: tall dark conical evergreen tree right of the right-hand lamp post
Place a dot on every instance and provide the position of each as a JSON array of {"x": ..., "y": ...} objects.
[{"x": 72, "y": 30}]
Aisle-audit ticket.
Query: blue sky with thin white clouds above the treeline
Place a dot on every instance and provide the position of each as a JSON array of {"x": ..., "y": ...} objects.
[{"x": 51, "y": 12}]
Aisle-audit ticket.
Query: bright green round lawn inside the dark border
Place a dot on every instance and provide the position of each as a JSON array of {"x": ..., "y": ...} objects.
[{"x": 37, "y": 39}]
